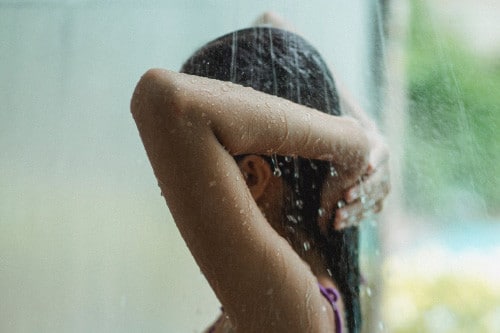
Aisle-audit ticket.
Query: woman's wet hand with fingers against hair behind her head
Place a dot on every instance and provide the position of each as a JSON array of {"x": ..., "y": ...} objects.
[{"x": 366, "y": 197}]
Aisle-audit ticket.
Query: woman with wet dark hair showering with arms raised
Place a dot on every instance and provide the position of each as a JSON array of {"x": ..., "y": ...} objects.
[{"x": 253, "y": 180}]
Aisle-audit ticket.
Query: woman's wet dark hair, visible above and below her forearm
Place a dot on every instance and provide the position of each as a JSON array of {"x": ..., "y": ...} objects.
[{"x": 282, "y": 63}]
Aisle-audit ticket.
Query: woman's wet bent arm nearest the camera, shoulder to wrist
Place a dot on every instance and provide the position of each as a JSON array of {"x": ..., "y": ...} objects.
[{"x": 191, "y": 127}]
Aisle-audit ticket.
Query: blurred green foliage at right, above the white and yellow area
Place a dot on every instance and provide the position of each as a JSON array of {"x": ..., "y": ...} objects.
[{"x": 453, "y": 145}]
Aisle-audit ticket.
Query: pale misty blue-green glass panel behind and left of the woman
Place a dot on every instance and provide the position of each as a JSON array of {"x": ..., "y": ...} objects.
[{"x": 86, "y": 242}]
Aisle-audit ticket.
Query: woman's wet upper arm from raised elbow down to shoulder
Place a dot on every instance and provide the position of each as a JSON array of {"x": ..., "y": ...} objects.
[{"x": 250, "y": 267}]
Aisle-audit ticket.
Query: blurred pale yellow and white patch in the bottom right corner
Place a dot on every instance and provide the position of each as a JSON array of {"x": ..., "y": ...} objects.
[{"x": 437, "y": 290}]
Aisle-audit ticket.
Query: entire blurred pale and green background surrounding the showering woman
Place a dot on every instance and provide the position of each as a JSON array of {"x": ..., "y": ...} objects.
[{"x": 86, "y": 241}]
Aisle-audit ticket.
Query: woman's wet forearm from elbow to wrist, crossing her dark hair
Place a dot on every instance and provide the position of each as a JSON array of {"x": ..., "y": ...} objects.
[{"x": 246, "y": 121}]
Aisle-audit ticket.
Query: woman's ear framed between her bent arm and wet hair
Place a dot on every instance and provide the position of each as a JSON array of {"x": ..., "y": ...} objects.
[{"x": 257, "y": 173}]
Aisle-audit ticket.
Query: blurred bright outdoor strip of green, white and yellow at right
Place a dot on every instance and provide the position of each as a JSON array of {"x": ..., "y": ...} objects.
[{"x": 442, "y": 239}]
